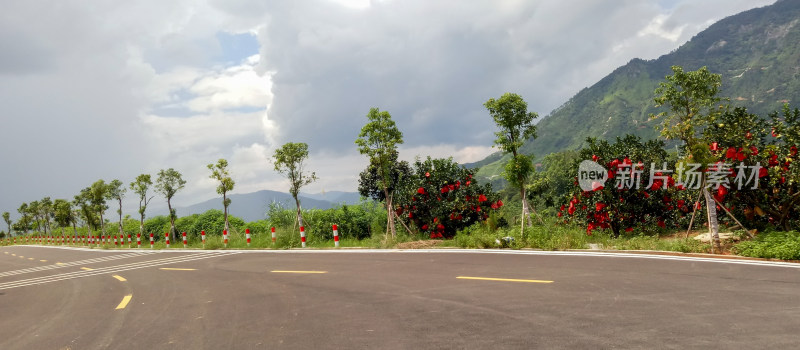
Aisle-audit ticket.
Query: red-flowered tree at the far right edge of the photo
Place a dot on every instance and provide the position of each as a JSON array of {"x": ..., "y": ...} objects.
[{"x": 769, "y": 149}]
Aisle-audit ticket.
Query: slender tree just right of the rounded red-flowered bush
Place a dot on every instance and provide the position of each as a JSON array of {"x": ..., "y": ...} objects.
[{"x": 510, "y": 113}]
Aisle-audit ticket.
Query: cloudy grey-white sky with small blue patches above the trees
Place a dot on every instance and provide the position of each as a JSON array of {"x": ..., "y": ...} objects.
[{"x": 112, "y": 89}]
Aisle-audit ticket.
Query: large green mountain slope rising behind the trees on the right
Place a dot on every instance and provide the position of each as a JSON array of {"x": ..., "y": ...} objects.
[{"x": 757, "y": 52}]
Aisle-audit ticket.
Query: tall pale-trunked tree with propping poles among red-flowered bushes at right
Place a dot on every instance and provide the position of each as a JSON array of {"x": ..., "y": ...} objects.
[{"x": 692, "y": 105}]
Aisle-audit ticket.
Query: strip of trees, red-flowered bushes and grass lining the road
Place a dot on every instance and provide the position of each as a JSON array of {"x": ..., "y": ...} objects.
[{"x": 440, "y": 203}]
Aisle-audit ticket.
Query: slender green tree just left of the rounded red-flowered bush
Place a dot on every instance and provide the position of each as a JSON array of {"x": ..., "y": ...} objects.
[{"x": 378, "y": 140}]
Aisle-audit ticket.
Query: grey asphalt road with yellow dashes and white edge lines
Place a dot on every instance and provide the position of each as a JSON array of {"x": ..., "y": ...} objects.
[{"x": 63, "y": 298}]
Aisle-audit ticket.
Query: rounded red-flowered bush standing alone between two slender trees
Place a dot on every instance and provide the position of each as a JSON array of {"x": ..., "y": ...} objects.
[{"x": 440, "y": 197}]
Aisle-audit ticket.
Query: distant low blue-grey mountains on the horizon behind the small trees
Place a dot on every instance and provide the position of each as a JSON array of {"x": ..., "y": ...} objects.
[{"x": 253, "y": 206}]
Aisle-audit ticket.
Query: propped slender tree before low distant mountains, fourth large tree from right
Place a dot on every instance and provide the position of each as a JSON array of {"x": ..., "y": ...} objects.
[{"x": 288, "y": 161}]
